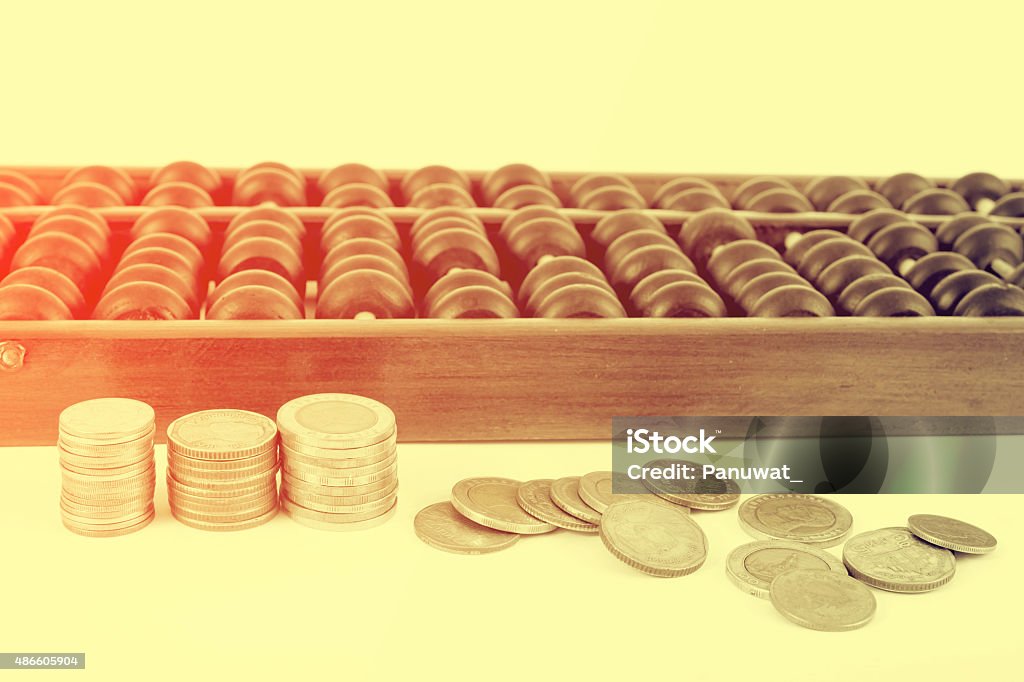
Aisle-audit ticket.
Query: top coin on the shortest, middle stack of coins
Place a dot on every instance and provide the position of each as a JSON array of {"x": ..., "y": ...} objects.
[{"x": 223, "y": 435}]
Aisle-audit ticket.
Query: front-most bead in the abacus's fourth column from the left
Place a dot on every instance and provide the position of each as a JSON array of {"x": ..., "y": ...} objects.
[{"x": 365, "y": 291}]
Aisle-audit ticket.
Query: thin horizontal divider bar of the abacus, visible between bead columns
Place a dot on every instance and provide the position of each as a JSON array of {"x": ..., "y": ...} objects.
[{"x": 317, "y": 216}]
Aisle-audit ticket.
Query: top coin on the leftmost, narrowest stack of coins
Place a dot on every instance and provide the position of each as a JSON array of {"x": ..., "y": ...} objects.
[{"x": 107, "y": 421}]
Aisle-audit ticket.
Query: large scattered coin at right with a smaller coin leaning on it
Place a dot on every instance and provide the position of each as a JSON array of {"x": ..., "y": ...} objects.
[{"x": 897, "y": 561}]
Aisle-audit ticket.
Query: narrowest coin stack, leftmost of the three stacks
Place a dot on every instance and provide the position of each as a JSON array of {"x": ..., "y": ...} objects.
[{"x": 107, "y": 467}]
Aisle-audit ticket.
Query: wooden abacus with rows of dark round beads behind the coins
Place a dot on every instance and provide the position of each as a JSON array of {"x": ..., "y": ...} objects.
[{"x": 510, "y": 305}]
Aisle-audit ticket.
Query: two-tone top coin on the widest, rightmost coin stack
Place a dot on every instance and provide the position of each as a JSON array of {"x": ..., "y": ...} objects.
[{"x": 336, "y": 420}]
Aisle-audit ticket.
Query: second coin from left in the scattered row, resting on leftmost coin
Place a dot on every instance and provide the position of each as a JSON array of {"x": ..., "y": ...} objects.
[{"x": 492, "y": 502}]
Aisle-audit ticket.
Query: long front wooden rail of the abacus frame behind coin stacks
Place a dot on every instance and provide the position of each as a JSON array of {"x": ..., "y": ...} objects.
[{"x": 521, "y": 379}]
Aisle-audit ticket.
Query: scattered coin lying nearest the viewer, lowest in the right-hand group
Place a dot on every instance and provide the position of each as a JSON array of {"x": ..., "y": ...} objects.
[{"x": 823, "y": 600}]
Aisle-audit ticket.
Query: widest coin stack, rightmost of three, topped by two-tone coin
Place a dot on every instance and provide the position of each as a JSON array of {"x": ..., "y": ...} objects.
[{"x": 339, "y": 461}]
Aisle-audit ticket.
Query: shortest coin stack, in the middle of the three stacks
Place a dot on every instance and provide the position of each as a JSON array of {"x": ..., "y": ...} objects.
[{"x": 223, "y": 470}]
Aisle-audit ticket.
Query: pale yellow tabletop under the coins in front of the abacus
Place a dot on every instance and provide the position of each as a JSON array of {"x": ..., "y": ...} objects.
[{"x": 289, "y": 603}]
